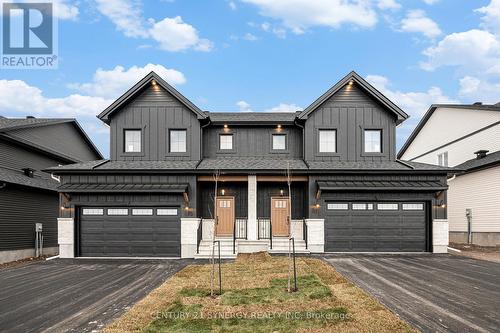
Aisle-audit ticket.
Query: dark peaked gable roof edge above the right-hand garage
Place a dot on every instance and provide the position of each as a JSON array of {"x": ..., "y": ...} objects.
[{"x": 366, "y": 87}]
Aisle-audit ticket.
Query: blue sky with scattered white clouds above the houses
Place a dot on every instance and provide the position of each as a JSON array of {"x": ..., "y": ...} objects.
[{"x": 262, "y": 55}]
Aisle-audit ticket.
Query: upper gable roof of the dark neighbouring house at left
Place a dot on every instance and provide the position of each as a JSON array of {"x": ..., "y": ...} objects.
[{"x": 12, "y": 124}]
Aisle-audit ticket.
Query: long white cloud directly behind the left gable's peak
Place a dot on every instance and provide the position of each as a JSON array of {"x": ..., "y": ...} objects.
[{"x": 112, "y": 83}]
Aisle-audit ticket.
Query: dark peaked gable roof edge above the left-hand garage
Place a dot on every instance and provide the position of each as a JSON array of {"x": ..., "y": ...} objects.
[{"x": 139, "y": 87}]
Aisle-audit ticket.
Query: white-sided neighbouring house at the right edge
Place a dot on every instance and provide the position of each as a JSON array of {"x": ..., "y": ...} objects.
[{"x": 466, "y": 137}]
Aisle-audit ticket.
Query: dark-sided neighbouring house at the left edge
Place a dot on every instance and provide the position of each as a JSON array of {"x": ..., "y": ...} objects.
[{"x": 28, "y": 195}]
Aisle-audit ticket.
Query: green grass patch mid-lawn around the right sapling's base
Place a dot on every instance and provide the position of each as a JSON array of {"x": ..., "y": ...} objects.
[{"x": 309, "y": 286}]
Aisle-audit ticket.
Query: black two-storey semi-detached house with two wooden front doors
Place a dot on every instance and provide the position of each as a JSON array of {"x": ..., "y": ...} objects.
[{"x": 155, "y": 196}]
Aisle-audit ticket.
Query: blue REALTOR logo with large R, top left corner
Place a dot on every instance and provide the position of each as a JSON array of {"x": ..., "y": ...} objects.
[{"x": 28, "y": 36}]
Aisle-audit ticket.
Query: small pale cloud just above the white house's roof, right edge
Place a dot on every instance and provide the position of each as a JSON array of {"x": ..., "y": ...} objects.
[{"x": 475, "y": 89}]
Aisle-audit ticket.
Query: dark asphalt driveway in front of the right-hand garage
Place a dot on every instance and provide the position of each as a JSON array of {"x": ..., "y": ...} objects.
[{"x": 434, "y": 293}]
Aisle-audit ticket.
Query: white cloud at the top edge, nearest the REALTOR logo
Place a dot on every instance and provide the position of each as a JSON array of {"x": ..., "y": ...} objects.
[{"x": 172, "y": 34}]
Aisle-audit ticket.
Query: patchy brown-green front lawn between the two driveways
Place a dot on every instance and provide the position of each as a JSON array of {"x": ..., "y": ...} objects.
[{"x": 255, "y": 299}]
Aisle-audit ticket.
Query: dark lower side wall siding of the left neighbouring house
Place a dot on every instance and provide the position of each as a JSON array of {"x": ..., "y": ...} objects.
[{"x": 20, "y": 209}]
